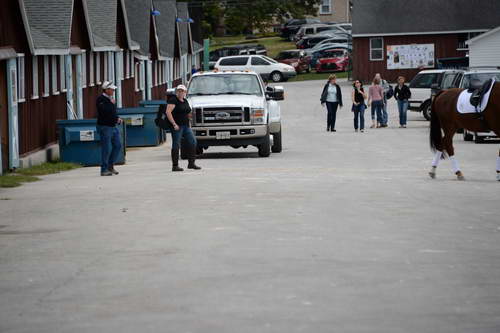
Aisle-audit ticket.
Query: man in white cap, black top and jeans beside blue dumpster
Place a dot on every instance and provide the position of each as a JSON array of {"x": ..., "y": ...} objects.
[{"x": 107, "y": 119}]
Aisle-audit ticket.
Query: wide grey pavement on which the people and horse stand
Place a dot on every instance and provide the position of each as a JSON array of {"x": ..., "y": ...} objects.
[{"x": 341, "y": 232}]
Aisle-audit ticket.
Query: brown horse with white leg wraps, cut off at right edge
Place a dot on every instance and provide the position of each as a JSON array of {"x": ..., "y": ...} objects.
[{"x": 446, "y": 119}]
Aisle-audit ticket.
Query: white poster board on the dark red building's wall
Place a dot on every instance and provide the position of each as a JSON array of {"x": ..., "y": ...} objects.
[{"x": 410, "y": 56}]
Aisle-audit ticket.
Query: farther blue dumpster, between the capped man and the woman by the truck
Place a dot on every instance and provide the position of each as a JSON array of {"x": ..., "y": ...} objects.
[{"x": 141, "y": 128}]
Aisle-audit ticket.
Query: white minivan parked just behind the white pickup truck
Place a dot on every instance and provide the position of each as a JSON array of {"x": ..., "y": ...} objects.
[{"x": 267, "y": 68}]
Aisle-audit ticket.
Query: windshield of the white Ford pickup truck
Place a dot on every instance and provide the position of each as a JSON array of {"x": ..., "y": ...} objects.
[{"x": 220, "y": 84}]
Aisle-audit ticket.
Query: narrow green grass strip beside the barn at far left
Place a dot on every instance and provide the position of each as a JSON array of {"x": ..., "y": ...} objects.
[{"x": 28, "y": 175}]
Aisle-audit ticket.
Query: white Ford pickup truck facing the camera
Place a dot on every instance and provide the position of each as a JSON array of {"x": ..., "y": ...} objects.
[{"x": 235, "y": 109}]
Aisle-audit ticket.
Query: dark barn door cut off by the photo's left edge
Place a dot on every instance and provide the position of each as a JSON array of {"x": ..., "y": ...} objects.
[{"x": 4, "y": 118}]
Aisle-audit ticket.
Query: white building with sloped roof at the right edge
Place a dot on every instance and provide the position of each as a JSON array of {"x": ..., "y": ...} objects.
[{"x": 484, "y": 50}]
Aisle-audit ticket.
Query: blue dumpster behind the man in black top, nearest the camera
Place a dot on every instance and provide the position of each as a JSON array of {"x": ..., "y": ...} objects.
[{"x": 79, "y": 142}]
